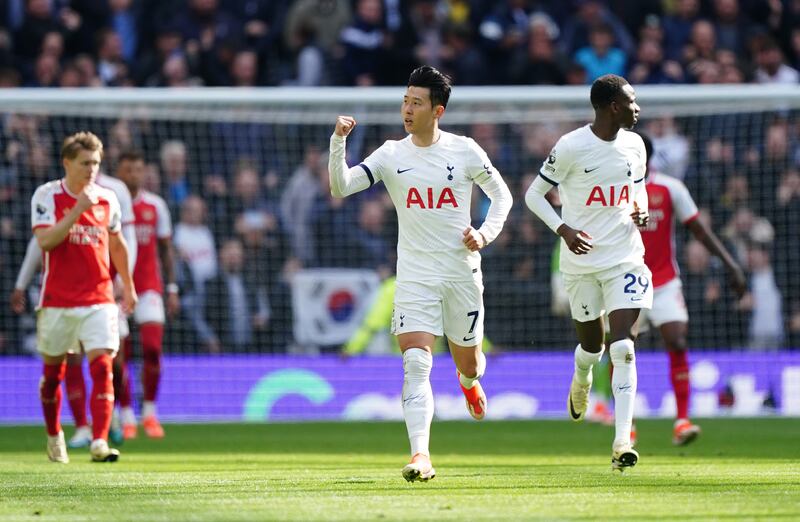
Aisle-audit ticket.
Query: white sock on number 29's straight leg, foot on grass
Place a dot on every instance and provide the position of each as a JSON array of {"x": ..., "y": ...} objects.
[{"x": 623, "y": 384}]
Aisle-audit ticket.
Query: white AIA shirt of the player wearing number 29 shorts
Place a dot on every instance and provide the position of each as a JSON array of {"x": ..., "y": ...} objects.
[{"x": 598, "y": 182}]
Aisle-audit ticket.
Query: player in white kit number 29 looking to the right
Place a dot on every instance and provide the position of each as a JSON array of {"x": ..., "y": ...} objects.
[{"x": 599, "y": 170}]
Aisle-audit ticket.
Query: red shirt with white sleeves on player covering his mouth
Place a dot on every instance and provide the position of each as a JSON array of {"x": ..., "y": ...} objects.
[{"x": 76, "y": 272}]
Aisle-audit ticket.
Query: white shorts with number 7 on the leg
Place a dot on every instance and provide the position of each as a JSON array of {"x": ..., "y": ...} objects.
[{"x": 450, "y": 308}]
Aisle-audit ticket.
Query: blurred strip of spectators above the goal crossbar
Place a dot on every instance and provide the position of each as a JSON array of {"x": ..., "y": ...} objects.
[{"x": 244, "y": 43}]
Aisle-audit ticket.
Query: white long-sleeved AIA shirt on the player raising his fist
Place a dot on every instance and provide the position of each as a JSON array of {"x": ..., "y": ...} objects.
[{"x": 431, "y": 188}]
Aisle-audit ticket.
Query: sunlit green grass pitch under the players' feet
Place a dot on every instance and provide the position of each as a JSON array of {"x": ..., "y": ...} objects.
[{"x": 549, "y": 470}]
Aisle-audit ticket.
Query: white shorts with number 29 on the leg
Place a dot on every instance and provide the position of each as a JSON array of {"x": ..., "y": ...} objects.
[{"x": 619, "y": 288}]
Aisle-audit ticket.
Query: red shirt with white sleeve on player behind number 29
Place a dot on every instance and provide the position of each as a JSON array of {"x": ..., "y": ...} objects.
[{"x": 667, "y": 197}]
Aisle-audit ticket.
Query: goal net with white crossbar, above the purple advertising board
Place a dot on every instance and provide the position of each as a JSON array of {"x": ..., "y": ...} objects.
[{"x": 244, "y": 175}]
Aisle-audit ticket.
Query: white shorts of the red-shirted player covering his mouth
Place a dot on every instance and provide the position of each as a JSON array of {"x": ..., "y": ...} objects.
[{"x": 60, "y": 330}]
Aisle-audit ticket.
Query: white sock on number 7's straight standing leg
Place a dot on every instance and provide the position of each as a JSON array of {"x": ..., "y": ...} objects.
[{"x": 418, "y": 398}]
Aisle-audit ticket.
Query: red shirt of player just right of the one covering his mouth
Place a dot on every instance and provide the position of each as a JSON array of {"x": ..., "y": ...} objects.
[{"x": 152, "y": 223}]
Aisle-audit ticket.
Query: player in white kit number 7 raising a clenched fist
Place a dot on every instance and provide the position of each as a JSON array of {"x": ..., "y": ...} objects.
[{"x": 429, "y": 176}]
